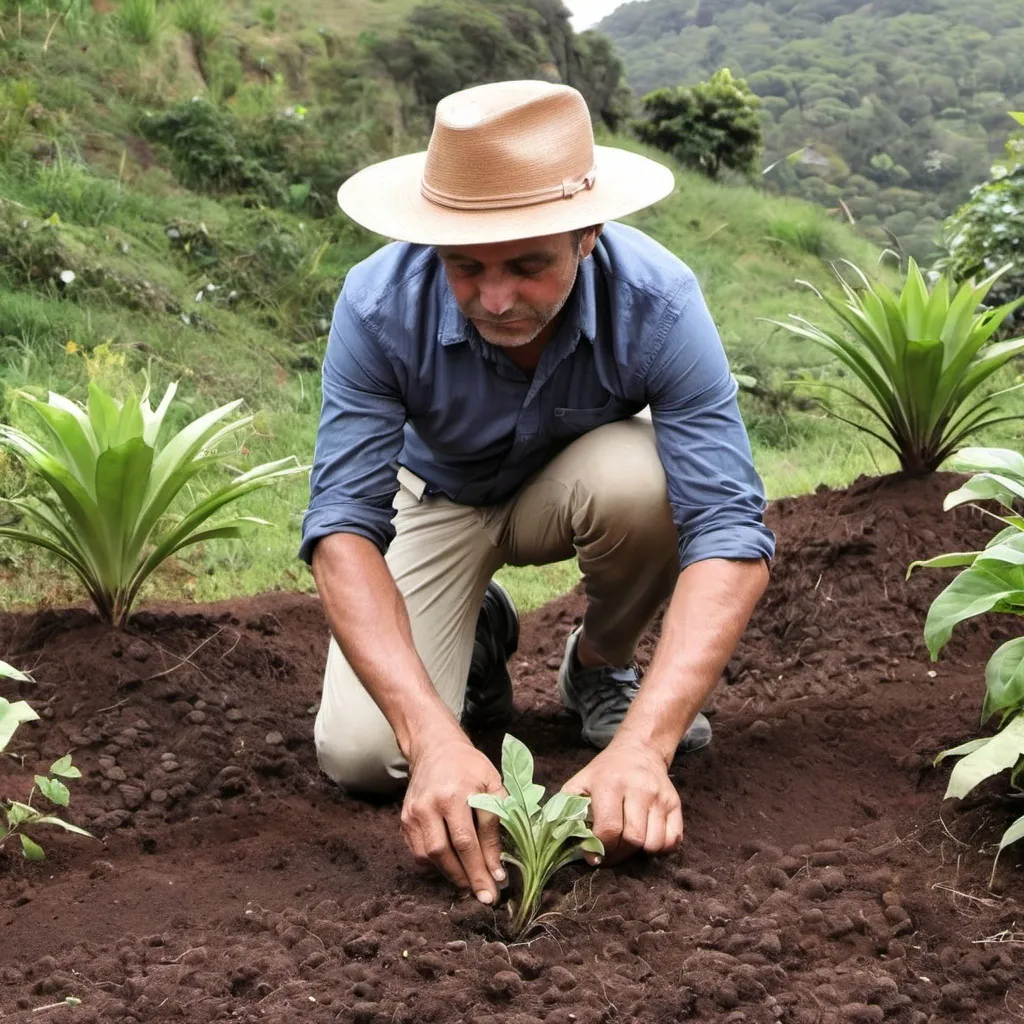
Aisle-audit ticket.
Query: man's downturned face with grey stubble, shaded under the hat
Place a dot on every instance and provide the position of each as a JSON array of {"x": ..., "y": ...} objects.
[{"x": 511, "y": 291}]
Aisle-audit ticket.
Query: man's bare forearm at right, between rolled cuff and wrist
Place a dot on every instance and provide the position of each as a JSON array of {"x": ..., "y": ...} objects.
[{"x": 709, "y": 612}]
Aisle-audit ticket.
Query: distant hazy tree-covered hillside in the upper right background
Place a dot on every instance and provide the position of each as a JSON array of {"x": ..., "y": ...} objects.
[{"x": 895, "y": 107}]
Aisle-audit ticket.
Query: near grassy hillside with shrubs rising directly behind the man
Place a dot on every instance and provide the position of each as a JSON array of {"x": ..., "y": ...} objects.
[{"x": 151, "y": 224}]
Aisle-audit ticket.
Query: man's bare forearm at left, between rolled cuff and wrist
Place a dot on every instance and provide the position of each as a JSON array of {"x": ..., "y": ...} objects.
[{"x": 368, "y": 618}]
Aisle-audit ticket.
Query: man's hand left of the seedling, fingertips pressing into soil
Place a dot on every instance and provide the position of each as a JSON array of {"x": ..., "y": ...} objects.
[{"x": 441, "y": 828}]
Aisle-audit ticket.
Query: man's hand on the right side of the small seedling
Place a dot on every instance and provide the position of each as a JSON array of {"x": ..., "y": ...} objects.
[{"x": 634, "y": 803}]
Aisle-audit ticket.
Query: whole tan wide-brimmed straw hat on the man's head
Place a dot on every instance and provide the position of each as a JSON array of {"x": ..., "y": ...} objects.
[{"x": 511, "y": 160}]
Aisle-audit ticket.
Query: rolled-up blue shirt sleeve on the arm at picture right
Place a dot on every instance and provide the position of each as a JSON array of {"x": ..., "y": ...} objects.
[{"x": 717, "y": 498}]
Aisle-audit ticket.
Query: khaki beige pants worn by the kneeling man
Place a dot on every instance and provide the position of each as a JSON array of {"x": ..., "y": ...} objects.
[{"x": 603, "y": 499}]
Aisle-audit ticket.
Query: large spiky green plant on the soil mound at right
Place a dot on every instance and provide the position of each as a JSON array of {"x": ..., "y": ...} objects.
[{"x": 923, "y": 360}]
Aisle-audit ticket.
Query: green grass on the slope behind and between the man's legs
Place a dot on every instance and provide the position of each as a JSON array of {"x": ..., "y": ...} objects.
[{"x": 102, "y": 206}]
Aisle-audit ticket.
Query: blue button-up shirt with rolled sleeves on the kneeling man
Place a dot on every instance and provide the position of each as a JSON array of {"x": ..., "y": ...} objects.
[{"x": 409, "y": 381}]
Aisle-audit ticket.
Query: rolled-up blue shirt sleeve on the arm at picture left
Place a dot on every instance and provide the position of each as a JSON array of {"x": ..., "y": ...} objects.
[{"x": 354, "y": 482}]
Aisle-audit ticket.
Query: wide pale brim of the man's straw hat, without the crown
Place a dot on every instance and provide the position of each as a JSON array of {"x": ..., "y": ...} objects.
[{"x": 387, "y": 199}]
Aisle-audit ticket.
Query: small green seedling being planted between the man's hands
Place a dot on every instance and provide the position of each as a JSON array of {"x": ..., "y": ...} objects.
[{"x": 543, "y": 839}]
